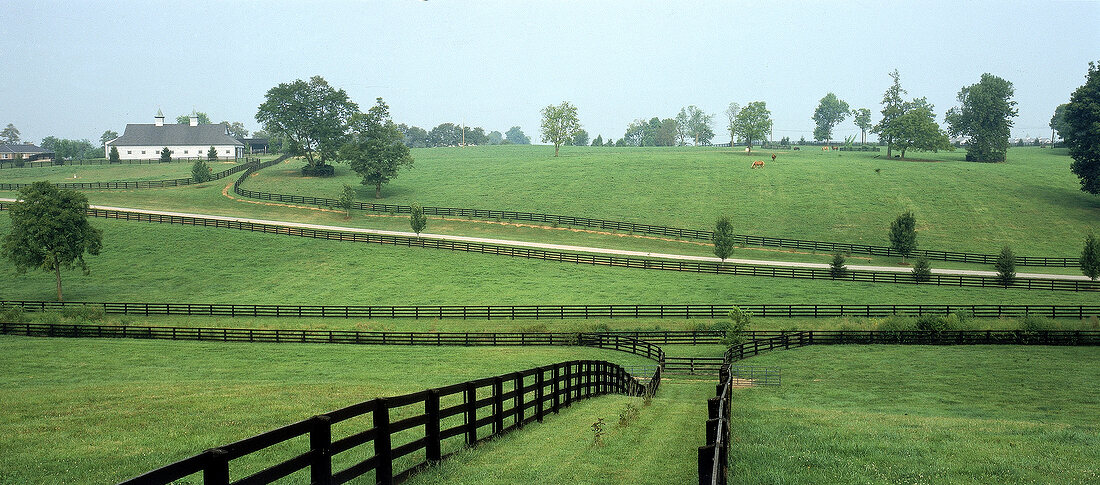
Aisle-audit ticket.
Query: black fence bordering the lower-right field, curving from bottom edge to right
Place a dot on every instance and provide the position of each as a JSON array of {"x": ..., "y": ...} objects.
[{"x": 714, "y": 457}]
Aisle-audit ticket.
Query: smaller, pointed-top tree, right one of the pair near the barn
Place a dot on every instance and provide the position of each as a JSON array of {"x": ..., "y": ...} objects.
[{"x": 377, "y": 150}]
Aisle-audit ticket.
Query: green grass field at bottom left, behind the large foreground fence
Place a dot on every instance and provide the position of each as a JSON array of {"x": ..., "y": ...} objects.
[{"x": 94, "y": 412}]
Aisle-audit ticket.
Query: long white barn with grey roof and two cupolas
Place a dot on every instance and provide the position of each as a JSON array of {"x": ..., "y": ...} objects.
[{"x": 185, "y": 141}]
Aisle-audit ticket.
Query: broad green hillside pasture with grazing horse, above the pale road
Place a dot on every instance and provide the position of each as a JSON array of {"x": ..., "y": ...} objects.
[{"x": 1031, "y": 203}]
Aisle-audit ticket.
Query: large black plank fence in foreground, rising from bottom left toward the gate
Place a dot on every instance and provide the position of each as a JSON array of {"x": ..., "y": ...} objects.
[{"x": 409, "y": 433}]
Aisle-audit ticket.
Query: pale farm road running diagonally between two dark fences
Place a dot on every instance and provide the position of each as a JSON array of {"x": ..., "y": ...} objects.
[{"x": 591, "y": 250}]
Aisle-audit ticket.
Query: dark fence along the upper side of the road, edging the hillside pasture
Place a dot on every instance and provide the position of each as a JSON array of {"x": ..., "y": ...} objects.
[{"x": 744, "y": 240}]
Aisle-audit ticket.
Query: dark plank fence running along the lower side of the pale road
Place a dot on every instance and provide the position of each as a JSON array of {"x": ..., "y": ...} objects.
[{"x": 601, "y": 260}]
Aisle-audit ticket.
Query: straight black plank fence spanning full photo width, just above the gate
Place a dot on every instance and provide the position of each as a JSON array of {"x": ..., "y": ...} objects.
[{"x": 564, "y": 312}]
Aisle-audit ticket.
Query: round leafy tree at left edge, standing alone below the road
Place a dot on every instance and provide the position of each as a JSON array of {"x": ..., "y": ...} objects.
[{"x": 50, "y": 230}]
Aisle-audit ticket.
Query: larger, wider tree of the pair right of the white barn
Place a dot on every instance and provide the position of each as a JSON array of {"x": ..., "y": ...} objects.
[{"x": 312, "y": 117}]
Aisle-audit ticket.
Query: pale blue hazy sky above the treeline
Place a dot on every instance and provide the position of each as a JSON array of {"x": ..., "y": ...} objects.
[{"x": 76, "y": 69}]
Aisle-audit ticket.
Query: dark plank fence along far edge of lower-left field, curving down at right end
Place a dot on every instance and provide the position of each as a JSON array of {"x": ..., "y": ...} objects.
[{"x": 610, "y": 341}]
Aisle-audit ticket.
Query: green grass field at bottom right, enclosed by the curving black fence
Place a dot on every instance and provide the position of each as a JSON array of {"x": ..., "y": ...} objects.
[{"x": 919, "y": 415}]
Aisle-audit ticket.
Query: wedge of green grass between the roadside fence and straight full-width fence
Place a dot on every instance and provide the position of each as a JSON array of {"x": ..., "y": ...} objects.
[{"x": 151, "y": 262}]
